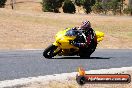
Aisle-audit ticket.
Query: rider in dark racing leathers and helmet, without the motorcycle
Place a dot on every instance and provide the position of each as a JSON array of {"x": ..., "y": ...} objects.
[{"x": 86, "y": 38}]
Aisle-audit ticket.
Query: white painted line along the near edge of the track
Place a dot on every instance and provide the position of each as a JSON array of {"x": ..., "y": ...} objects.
[{"x": 63, "y": 76}]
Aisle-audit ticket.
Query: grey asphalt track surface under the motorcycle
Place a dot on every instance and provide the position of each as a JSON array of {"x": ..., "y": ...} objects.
[{"x": 30, "y": 63}]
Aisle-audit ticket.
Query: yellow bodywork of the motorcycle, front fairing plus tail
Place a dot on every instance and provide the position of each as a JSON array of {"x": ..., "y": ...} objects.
[{"x": 63, "y": 41}]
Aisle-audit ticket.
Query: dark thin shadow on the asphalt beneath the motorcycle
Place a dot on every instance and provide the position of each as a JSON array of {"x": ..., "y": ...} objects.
[{"x": 81, "y": 57}]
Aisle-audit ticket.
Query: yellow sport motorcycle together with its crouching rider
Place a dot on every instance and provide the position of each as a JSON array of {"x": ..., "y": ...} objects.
[{"x": 81, "y": 41}]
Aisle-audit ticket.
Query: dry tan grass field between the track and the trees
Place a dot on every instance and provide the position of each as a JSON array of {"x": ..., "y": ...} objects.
[{"x": 36, "y": 30}]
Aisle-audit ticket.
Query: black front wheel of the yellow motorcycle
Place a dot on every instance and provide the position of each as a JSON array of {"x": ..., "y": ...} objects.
[{"x": 49, "y": 51}]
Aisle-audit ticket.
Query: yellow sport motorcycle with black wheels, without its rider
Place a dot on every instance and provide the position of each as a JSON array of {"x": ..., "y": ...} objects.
[{"x": 63, "y": 47}]
